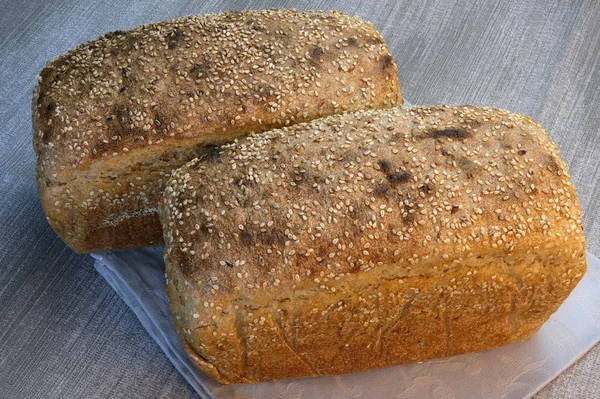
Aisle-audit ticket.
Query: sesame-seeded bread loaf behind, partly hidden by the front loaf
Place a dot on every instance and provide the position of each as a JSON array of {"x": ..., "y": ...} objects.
[{"x": 113, "y": 117}]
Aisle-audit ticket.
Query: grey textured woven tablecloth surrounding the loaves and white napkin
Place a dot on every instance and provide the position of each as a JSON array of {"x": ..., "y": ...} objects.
[{"x": 65, "y": 333}]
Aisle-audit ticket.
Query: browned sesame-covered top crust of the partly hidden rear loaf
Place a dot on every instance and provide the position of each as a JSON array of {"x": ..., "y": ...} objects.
[{"x": 162, "y": 83}]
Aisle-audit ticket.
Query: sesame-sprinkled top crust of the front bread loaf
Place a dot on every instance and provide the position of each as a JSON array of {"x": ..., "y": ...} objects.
[{"x": 349, "y": 193}]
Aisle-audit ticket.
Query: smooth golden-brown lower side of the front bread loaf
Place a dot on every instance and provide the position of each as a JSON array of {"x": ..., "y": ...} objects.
[{"x": 373, "y": 322}]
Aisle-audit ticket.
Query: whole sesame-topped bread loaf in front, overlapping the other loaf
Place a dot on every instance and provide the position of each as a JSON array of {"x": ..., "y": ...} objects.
[{"x": 367, "y": 240}]
